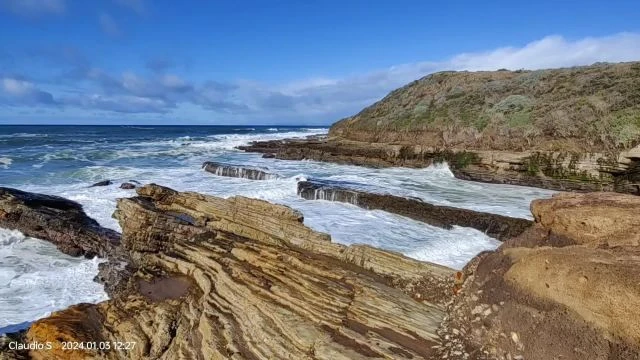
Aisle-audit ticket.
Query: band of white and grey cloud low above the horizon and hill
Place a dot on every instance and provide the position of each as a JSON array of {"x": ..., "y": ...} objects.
[{"x": 327, "y": 98}]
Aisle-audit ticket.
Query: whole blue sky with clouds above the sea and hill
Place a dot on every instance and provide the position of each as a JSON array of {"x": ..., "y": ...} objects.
[{"x": 275, "y": 62}]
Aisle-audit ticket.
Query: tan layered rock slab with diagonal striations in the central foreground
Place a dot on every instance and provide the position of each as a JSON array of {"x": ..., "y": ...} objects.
[{"x": 241, "y": 278}]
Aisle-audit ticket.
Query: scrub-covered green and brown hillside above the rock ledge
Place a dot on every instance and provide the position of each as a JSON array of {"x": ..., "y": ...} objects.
[{"x": 591, "y": 108}]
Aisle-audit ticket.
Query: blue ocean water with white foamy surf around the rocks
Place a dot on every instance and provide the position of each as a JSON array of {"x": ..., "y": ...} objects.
[{"x": 36, "y": 279}]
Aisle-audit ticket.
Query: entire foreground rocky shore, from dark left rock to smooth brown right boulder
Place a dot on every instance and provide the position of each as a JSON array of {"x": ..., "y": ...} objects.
[{"x": 199, "y": 277}]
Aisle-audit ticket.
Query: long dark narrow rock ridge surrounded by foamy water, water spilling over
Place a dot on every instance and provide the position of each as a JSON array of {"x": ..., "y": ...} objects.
[{"x": 497, "y": 226}]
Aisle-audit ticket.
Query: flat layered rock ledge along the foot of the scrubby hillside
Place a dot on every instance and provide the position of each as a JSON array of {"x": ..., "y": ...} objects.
[{"x": 564, "y": 171}]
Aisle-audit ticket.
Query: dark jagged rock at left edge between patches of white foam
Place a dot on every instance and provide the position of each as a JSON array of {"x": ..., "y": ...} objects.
[{"x": 55, "y": 219}]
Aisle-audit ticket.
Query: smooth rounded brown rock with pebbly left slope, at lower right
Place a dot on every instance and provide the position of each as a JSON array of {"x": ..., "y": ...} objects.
[{"x": 571, "y": 277}]
